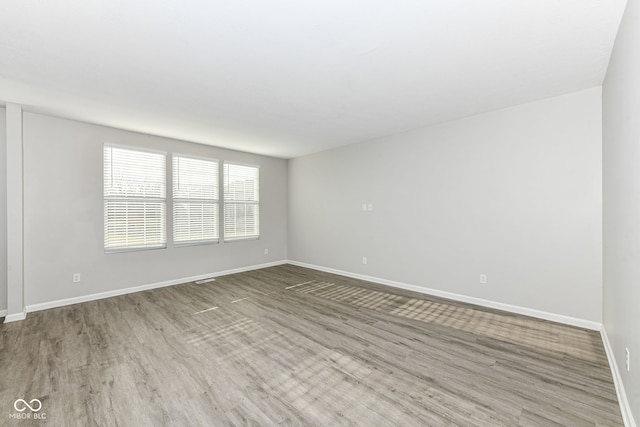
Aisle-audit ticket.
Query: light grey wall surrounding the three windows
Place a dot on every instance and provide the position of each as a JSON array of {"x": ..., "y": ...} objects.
[{"x": 63, "y": 215}]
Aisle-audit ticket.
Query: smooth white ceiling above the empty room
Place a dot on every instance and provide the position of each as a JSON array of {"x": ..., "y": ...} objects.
[{"x": 285, "y": 77}]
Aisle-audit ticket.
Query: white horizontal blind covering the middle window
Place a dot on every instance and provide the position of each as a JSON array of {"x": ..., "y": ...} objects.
[{"x": 195, "y": 200}]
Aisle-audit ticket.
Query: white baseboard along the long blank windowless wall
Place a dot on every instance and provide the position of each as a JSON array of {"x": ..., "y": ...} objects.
[{"x": 567, "y": 320}]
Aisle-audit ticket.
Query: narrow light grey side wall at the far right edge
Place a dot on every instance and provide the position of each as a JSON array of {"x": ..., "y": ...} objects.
[{"x": 621, "y": 181}]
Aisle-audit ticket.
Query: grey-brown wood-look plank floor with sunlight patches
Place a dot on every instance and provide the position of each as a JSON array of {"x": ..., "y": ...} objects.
[{"x": 293, "y": 346}]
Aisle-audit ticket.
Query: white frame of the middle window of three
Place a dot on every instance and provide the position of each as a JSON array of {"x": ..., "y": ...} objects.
[{"x": 216, "y": 202}]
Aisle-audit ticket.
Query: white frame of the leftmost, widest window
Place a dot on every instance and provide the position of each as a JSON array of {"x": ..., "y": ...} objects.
[{"x": 162, "y": 244}]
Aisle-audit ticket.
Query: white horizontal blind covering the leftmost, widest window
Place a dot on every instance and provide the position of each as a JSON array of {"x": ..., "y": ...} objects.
[{"x": 134, "y": 199}]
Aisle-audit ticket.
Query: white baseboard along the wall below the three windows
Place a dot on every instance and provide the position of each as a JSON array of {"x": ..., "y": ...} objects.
[{"x": 101, "y": 295}]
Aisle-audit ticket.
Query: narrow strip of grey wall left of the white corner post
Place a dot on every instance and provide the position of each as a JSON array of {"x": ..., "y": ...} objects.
[{"x": 3, "y": 210}]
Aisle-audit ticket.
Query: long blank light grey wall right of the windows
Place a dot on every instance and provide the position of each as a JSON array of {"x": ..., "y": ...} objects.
[{"x": 514, "y": 194}]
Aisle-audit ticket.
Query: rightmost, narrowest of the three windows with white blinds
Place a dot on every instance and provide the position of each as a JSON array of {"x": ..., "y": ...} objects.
[{"x": 241, "y": 201}]
